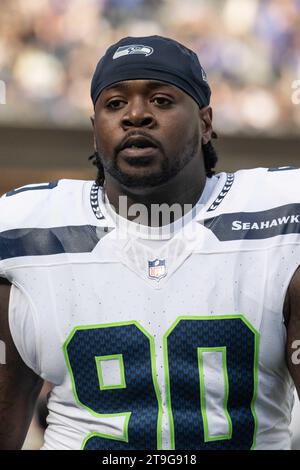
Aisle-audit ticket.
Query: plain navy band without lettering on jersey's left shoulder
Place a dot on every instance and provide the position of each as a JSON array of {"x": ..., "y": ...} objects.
[{"x": 49, "y": 241}]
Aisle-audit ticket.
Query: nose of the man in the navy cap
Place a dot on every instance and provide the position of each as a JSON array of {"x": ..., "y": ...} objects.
[{"x": 138, "y": 115}]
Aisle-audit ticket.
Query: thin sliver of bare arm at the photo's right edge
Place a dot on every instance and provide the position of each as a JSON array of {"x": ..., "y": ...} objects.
[{"x": 292, "y": 316}]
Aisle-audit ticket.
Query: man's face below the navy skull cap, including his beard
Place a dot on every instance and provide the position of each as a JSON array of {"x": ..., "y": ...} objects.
[{"x": 146, "y": 132}]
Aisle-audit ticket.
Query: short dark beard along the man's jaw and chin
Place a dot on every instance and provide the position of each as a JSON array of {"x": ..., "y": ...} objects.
[{"x": 169, "y": 168}]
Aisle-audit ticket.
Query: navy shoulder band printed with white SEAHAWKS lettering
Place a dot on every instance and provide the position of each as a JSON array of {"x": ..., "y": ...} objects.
[{"x": 281, "y": 220}]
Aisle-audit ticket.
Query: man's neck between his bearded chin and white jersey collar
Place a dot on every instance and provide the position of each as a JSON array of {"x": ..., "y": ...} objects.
[{"x": 182, "y": 192}]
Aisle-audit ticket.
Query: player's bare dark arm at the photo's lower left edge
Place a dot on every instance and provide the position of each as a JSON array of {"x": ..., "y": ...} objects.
[{"x": 19, "y": 386}]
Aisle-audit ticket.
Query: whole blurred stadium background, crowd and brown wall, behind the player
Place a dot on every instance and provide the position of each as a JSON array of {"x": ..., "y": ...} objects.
[{"x": 49, "y": 48}]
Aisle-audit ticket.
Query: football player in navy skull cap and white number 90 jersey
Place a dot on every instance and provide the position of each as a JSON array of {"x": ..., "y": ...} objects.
[{"x": 161, "y": 301}]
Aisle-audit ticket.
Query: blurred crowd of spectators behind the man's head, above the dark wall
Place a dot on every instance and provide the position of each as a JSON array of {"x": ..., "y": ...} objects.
[{"x": 249, "y": 48}]
